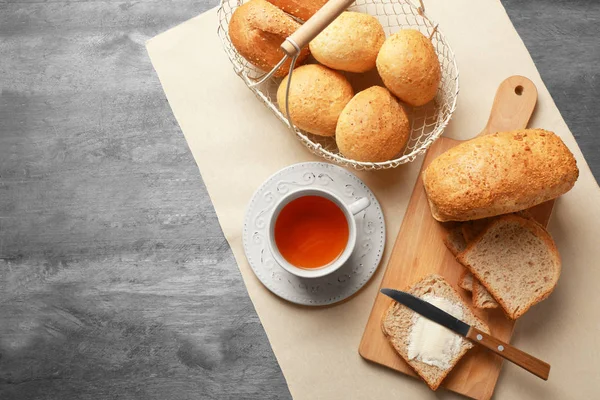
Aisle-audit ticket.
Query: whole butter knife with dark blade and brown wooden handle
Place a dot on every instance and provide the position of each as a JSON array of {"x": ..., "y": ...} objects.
[{"x": 526, "y": 361}]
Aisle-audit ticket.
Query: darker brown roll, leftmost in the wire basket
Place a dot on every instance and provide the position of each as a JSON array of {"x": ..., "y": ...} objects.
[{"x": 257, "y": 29}]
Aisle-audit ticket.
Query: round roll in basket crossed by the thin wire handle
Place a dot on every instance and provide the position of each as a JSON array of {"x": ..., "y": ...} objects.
[{"x": 317, "y": 97}]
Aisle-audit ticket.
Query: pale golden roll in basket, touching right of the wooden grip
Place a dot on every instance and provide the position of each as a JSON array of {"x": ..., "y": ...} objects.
[{"x": 350, "y": 43}]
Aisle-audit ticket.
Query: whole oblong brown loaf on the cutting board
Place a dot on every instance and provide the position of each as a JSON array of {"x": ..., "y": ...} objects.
[{"x": 499, "y": 173}]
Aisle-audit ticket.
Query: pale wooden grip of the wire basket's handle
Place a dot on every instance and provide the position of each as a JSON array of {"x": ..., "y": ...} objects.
[{"x": 311, "y": 28}]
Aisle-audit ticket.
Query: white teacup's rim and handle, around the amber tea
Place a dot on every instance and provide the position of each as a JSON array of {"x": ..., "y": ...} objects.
[{"x": 349, "y": 212}]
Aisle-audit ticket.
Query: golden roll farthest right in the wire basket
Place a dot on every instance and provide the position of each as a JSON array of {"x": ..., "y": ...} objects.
[{"x": 409, "y": 67}]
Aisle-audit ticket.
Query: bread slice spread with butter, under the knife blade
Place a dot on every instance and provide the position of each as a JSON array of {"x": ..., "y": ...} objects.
[{"x": 430, "y": 349}]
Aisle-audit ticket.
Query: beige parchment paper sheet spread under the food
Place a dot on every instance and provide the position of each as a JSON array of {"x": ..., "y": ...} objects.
[{"x": 237, "y": 144}]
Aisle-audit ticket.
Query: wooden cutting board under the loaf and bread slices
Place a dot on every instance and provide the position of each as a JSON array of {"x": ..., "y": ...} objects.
[{"x": 420, "y": 251}]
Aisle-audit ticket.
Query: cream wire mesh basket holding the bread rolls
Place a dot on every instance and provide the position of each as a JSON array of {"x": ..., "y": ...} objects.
[{"x": 427, "y": 122}]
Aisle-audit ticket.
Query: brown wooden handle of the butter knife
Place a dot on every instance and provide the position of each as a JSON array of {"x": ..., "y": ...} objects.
[{"x": 512, "y": 354}]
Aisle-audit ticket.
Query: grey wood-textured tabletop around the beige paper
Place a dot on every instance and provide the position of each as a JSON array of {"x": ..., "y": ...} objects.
[{"x": 115, "y": 279}]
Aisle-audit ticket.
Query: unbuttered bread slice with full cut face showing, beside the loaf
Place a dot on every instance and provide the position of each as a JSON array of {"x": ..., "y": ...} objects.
[{"x": 516, "y": 260}]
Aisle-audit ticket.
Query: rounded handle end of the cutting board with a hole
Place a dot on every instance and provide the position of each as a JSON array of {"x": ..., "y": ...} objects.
[{"x": 513, "y": 105}]
